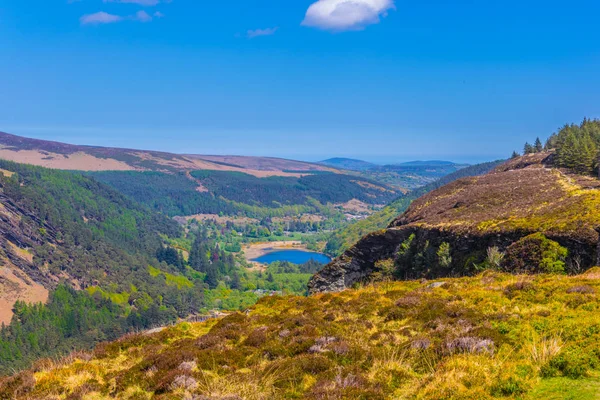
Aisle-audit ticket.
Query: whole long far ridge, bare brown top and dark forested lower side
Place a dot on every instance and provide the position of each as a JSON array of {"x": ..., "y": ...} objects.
[{"x": 186, "y": 185}]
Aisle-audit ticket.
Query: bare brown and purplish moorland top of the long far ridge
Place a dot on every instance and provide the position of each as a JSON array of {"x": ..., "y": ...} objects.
[{"x": 95, "y": 158}]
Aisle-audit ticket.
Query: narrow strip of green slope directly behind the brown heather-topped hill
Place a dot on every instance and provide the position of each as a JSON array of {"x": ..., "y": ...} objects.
[{"x": 343, "y": 238}]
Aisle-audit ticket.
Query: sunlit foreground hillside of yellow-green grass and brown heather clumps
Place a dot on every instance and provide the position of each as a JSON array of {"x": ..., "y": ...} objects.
[{"x": 489, "y": 336}]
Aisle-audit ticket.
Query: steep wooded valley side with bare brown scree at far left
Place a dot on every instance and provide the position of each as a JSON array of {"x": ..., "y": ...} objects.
[{"x": 88, "y": 250}]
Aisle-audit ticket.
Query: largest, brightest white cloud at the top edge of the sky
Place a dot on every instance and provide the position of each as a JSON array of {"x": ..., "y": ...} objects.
[{"x": 342, "y": 15}]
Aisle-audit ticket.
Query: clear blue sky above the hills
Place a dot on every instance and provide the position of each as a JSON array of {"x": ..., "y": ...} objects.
[{"x": 381, "y": 80}]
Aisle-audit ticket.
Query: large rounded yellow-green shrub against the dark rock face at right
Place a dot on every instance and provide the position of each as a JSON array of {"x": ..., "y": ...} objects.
[{"x": 535, "y": 254}]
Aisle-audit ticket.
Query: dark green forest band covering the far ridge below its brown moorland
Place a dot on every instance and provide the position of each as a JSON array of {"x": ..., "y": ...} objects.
[{"x": 235, "y": 193}]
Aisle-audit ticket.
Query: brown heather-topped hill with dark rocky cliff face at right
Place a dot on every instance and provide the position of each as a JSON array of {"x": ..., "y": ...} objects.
[{"x": 449, "y": 232}]
